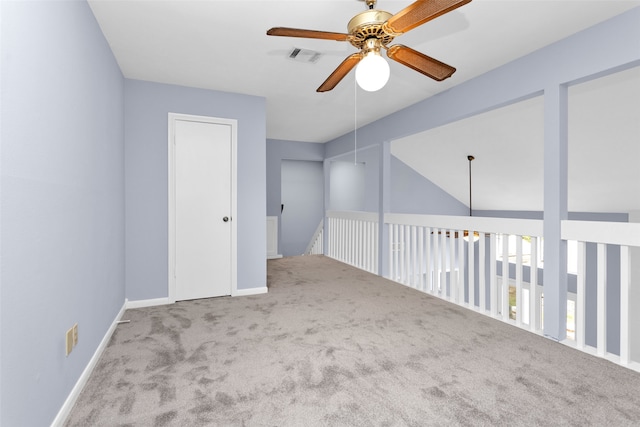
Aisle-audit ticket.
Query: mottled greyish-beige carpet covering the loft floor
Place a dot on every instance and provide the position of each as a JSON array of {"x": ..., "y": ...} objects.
[{"x": 332, "y": 345}]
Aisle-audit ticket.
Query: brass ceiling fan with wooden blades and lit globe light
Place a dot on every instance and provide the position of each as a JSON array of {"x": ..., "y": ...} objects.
[{"x": 373, "y": 30}]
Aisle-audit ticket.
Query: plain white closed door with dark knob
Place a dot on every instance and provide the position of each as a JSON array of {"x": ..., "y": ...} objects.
[{"x": 202, "y": 211}]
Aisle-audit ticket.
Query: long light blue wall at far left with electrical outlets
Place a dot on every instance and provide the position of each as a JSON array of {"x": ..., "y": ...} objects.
[{"x": 62, "y": 201}]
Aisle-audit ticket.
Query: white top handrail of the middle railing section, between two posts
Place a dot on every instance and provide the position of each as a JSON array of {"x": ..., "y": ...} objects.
[{"x": 521, "y": 227}]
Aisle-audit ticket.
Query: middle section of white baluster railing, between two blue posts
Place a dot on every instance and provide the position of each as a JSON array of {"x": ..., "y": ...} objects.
[{"x": 430, "y": 253}]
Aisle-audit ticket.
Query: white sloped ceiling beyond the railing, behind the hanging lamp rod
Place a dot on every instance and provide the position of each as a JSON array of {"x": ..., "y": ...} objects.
[{"x": 508, "y": 145}]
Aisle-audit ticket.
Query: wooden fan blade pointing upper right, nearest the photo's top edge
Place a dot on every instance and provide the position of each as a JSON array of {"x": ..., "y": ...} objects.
[{"x": 418, "y": 13}]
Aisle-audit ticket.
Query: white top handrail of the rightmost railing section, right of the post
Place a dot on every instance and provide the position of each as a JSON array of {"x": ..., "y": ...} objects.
[{"x": 611, "y": 233}]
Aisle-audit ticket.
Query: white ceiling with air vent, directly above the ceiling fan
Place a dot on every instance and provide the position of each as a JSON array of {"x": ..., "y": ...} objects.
[{"x": 222, "y": 45}]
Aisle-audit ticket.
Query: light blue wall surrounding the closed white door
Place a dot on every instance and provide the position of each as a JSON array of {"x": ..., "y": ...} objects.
[{"x": 146, "y": 158}]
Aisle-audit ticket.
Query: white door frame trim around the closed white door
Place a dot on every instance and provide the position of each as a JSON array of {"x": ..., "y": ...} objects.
[{"x": 173, "y": 117}]
